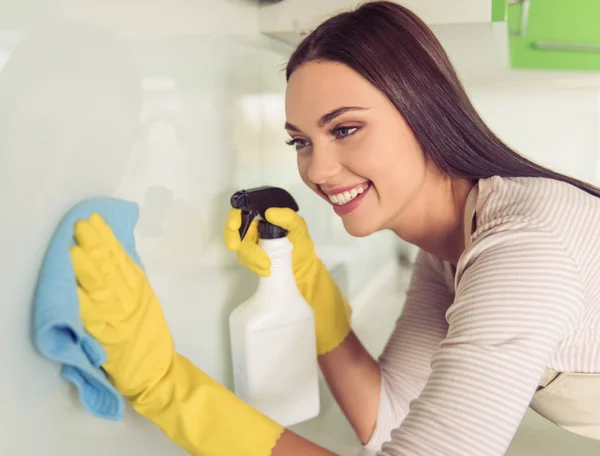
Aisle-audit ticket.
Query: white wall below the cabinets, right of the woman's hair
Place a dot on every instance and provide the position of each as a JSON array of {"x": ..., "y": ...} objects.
[{"x": 558, "y": 128}]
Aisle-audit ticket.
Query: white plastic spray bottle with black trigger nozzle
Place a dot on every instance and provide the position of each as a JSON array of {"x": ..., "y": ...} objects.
[{"x": 272, "y": 334}]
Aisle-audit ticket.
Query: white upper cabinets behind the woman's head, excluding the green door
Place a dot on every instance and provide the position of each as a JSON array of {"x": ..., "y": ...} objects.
[{"x": 476, "y": 46}]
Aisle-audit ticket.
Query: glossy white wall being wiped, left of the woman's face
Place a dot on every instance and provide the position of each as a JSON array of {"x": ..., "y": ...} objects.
[{"x": 172, "y": 104}]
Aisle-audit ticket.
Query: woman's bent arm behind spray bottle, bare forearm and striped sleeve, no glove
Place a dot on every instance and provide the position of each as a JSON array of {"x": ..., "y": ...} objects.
[{"x": 375, "y": 396}]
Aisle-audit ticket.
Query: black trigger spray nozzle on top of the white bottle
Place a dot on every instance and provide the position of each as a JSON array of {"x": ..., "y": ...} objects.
[{"x": 256, "y": 201}]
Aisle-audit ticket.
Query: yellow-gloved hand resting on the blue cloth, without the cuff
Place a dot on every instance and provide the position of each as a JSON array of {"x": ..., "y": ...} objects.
[{"x": 120, "y": 310}]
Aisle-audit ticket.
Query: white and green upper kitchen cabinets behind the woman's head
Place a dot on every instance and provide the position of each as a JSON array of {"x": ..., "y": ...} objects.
[{"x": 491, "y": 43}]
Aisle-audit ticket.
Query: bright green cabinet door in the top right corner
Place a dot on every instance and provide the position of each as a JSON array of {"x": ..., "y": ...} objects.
[{"x": 554, "y": 34}]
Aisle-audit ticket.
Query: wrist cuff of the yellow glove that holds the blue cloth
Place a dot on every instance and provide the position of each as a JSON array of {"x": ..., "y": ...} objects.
[{"x": 205, "y": 418}]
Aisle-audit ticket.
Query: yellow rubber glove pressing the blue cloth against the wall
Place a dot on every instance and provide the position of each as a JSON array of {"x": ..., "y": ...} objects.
[{"x": 119, "y": 309}]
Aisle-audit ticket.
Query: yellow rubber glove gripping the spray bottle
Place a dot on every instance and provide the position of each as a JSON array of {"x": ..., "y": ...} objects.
[{"x": 331, "y": 310}]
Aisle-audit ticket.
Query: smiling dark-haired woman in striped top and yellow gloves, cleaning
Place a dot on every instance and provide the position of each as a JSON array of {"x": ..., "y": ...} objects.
[{"x": 504, "y": 304}]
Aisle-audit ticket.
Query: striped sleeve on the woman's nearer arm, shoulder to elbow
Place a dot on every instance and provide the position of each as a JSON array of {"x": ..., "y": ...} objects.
[{"x": 518, "y": 293}]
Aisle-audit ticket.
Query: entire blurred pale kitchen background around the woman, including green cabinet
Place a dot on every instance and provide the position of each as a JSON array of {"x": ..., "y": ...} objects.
[{"x": 176, "y": 105}]
